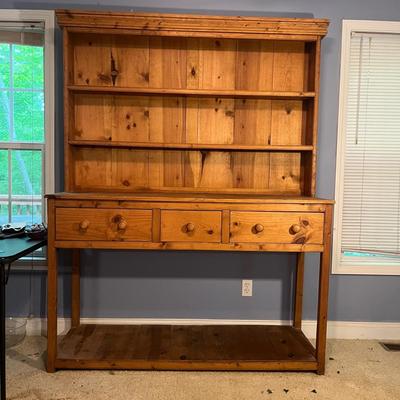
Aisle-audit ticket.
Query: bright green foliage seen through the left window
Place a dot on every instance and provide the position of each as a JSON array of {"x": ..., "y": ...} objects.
[{"x": 21, "y": 120}]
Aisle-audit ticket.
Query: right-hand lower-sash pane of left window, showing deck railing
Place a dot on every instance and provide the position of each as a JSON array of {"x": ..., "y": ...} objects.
[{"x": 26, "y": 167}]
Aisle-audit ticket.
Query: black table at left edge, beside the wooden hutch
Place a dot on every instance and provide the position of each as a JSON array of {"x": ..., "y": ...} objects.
[{"x": 10, "y": 250}]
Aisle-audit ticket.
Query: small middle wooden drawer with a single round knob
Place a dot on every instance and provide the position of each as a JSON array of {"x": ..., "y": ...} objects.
[{"x": 190, "y": 226}]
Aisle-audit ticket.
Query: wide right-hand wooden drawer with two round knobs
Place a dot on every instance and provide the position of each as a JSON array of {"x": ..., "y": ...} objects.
[{"x": 277, "y": 227}]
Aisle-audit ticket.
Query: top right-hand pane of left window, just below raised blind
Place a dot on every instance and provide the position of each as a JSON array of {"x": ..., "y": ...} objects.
[{"x": 27, "y": 67}]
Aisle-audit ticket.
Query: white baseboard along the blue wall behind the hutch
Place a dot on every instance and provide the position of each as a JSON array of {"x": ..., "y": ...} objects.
[{"x": 336, "y": 329}]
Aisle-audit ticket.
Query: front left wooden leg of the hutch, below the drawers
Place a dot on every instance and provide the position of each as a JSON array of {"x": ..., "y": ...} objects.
[{"x": 51, "y": 308}]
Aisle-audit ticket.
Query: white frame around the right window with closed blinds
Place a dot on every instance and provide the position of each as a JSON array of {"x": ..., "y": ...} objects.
[{"x": 348, "y": 27}]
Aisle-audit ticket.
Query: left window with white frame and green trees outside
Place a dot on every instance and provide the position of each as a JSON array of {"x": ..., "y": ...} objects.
[{"x": 26, "y": 114}]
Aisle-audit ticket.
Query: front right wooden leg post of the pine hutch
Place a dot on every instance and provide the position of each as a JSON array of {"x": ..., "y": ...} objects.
[{"x": 322, "y": 318}]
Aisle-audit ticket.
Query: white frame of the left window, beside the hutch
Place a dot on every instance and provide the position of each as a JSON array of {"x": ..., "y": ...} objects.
[{"x": 48, "y": 18}]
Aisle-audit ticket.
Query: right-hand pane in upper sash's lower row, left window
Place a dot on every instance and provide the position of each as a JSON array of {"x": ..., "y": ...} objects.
[{"x": 29, "y": 116}]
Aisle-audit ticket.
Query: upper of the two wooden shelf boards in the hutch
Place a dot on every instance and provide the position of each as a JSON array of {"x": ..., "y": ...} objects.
[{"x": 191, "y": 92}]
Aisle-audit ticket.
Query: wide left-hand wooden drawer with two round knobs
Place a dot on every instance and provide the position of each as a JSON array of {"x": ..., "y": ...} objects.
[{"x": 103, "y": 224}]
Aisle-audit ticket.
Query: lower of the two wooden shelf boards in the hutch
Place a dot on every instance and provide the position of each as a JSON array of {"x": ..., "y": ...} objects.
[{"x": 191, "y": 146}]
